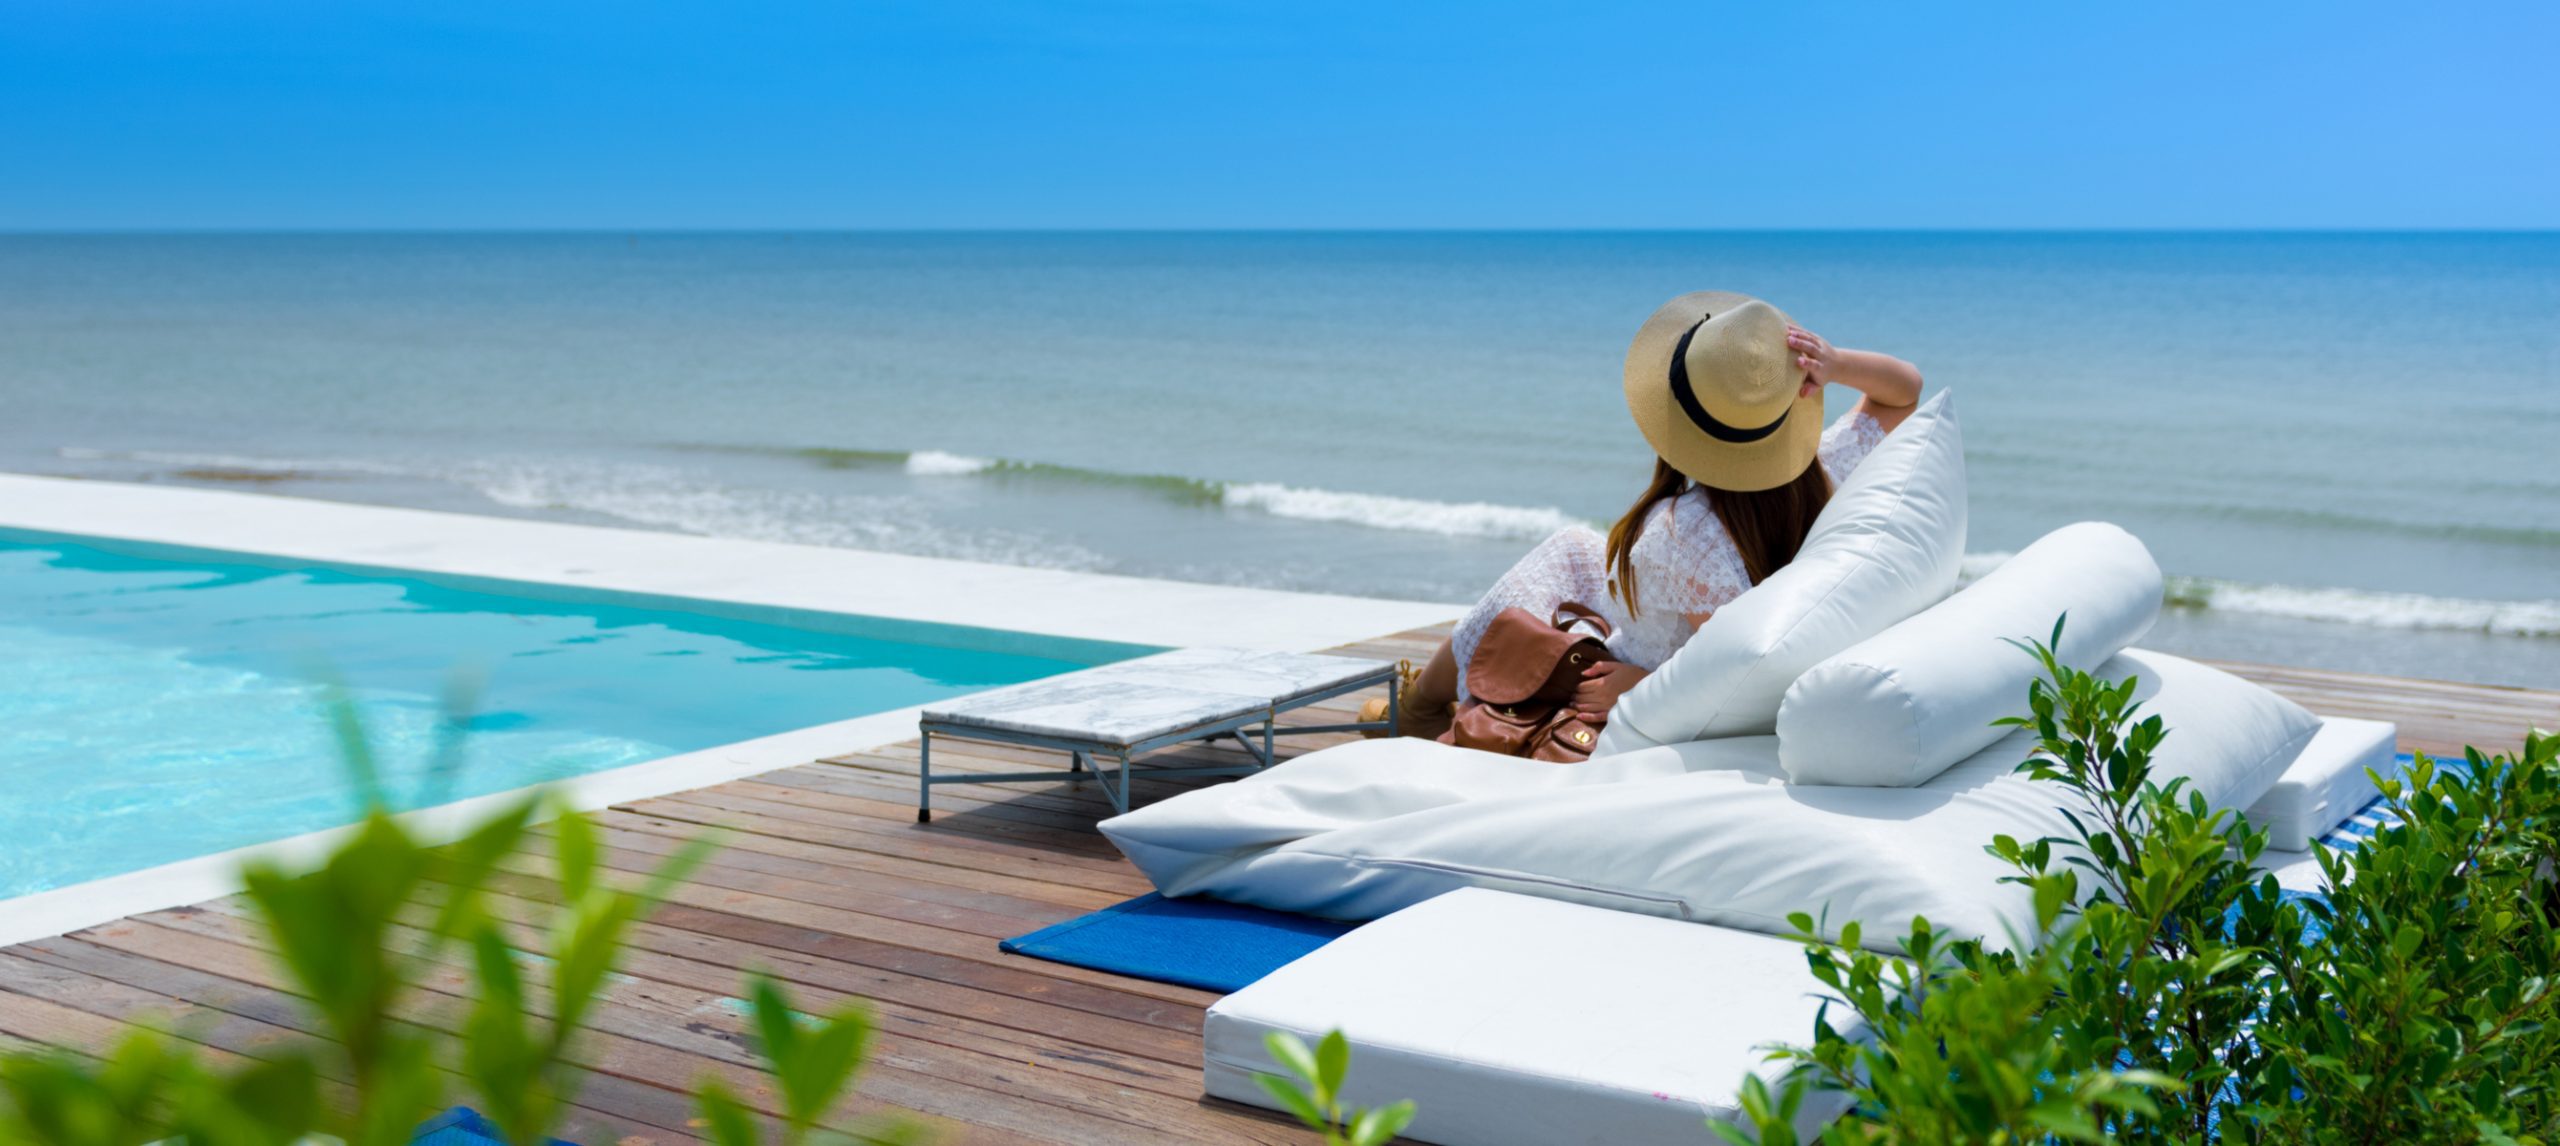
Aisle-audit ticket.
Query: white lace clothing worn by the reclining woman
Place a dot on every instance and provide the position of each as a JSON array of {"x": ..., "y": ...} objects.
[{"x": 1683, "y": 561}]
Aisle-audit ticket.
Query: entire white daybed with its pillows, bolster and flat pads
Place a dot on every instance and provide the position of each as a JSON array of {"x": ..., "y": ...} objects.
[{"x": 1824, "y": 746}]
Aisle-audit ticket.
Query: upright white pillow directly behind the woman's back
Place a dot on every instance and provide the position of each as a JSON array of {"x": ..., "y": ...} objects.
[{"x": 1885, "y": 546}]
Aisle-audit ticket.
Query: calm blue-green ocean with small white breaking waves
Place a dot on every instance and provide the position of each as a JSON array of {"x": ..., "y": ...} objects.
[{"x": 2339, "y": 444}]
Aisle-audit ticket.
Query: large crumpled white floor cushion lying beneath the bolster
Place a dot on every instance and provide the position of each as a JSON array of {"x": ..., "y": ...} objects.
[{"x": 1706, "y": 833}]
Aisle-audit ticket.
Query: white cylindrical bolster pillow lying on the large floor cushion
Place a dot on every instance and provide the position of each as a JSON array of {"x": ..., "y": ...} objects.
[{"x": 1914, "y": 700}]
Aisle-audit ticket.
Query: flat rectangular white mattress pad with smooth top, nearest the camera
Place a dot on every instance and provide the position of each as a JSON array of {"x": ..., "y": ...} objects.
[{"x": 1527, "y": 1022}]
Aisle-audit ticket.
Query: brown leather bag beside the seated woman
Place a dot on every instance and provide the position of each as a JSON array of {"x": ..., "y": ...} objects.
[{"x": 1540, "y": 689}]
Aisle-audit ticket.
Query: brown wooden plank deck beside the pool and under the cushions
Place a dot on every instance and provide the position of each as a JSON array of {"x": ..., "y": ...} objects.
[{"x": 831, "y": 884}]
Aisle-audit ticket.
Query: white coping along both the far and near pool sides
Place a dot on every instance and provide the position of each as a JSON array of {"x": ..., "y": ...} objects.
[{"x": 864, "y": 585}]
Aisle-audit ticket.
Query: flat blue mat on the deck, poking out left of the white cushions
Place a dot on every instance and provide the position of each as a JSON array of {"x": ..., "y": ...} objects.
[{"x": 1194, "y": 943}]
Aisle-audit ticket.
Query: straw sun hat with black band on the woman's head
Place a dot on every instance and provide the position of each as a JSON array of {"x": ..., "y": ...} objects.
[{"x": 1716, "y": 393}]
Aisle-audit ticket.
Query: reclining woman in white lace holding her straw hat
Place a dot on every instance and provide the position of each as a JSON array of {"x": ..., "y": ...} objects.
[{"x": 1729, "y": 395}]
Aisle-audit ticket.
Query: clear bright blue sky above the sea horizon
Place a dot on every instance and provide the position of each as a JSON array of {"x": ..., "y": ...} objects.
[{"x": 1279, "y": 114}]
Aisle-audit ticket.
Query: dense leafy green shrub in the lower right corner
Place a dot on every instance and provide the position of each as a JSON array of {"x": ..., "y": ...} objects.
[{"x": 2172, "y": 996}]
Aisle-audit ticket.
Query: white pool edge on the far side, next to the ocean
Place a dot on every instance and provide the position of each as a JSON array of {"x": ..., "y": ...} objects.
[{"x": 1041, "y": 602}]
